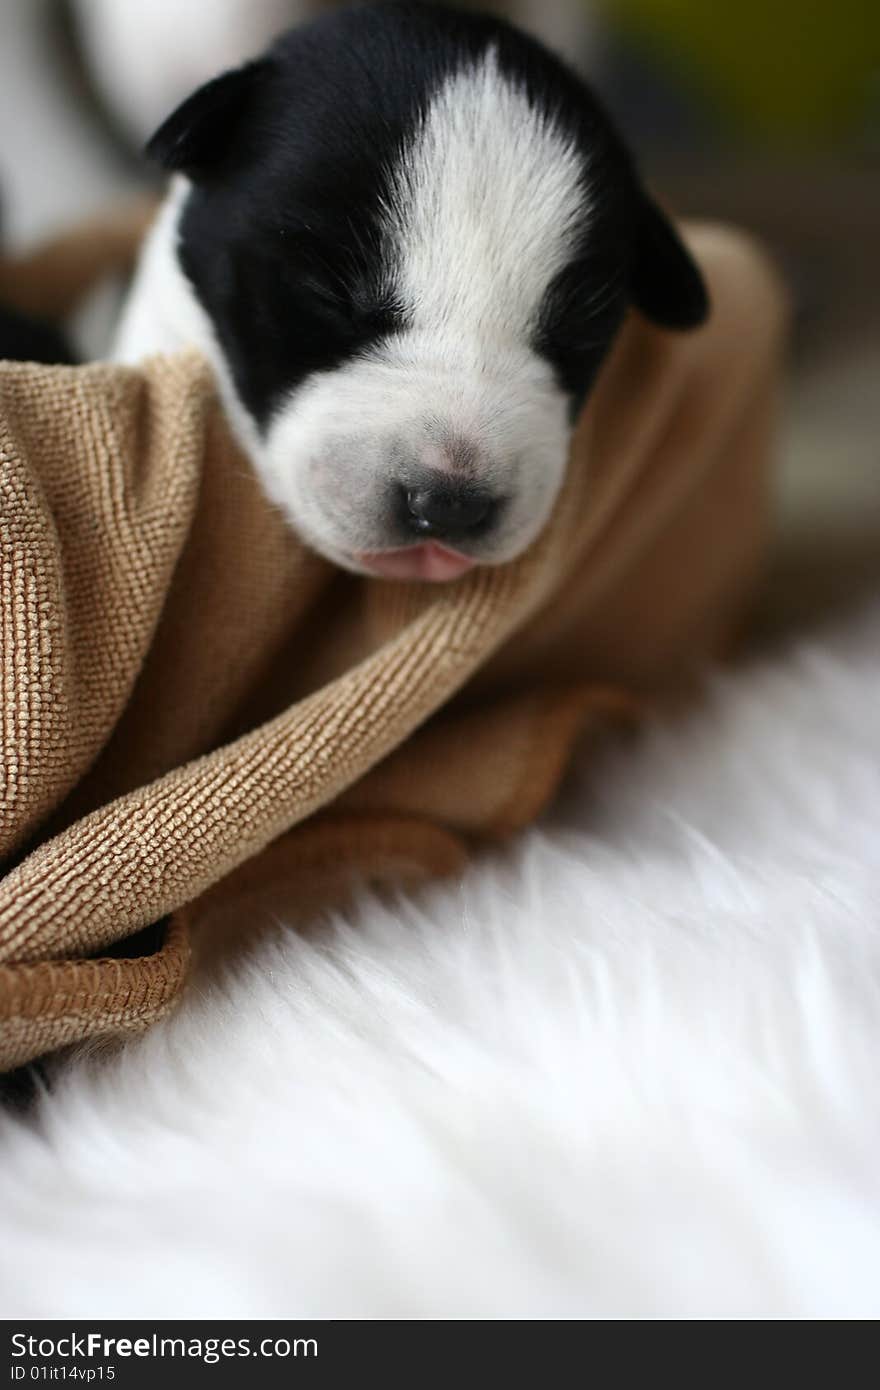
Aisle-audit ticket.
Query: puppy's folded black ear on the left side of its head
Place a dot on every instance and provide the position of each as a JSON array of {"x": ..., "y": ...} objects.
[{"x": 197, "y": 137}]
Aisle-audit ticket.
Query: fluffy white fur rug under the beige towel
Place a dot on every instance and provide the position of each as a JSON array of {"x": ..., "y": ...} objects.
[{"x": 626, "y": 1070}]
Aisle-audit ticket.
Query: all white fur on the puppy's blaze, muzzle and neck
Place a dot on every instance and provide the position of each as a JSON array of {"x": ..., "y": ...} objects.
[{"x": 475, "y": 244}]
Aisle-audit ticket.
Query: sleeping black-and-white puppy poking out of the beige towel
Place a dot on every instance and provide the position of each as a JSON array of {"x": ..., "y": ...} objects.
[{"x": 405, "y": 238}]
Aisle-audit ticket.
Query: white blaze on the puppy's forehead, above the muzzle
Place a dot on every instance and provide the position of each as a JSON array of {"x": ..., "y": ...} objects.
[{"x": 487, "y": 205}]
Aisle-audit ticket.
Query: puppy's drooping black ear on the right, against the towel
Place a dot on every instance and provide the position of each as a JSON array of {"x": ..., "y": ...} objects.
[{"x": 667, "y": 283}]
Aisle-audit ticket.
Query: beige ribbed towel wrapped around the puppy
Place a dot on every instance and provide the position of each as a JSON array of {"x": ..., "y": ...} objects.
[{"x": 183, "y": 683}]
